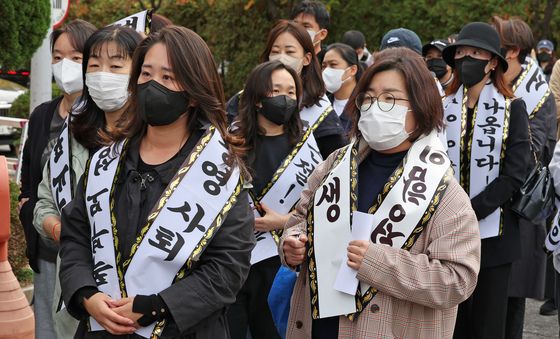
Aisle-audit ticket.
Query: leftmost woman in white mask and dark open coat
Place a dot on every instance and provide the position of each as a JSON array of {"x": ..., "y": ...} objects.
[{"x": 67, "y": 45}]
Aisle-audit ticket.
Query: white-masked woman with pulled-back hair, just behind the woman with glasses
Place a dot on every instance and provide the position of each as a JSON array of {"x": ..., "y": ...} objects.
[{"x": 341, "y": 73}]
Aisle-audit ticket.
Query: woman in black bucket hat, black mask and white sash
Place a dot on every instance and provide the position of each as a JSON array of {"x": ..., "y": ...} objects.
[{"x": 488, "y": 144}]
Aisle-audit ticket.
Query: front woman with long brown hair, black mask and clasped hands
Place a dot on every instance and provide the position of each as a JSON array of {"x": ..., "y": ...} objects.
[{"x": 158, "y": 240}]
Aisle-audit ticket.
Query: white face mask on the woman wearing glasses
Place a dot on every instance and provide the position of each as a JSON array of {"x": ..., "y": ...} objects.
[{"x": 383, "y": 130}]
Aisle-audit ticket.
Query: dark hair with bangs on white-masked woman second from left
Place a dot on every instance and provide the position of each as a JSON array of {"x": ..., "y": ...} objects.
[{"x": 88, "y": 125}]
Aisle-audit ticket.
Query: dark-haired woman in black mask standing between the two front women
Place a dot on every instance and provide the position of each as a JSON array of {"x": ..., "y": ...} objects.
[{"x": 275, "y": 146}]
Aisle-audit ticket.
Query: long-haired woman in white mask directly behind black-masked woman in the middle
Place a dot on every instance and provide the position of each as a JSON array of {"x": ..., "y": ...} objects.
[{"x": 289, "y": 43}]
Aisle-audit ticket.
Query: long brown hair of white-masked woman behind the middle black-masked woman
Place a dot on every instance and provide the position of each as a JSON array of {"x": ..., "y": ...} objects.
[{"x": 313, "y": 86}]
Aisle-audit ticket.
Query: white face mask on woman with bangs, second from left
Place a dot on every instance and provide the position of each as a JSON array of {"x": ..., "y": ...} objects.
[{"x": 109, "y": 91}]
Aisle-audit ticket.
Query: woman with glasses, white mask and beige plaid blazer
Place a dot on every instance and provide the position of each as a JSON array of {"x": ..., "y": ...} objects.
[{"x": 417, "y": 256}]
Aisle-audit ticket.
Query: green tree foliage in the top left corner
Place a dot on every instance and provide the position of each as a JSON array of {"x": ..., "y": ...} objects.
[{"x": 25, "y": 24}]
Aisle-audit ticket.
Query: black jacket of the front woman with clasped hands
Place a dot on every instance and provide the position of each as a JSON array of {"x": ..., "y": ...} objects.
[{"x": 198, "y": 302}]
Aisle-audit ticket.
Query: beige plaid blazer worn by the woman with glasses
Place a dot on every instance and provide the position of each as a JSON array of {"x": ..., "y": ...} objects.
[{"x": 418, "y": 290}]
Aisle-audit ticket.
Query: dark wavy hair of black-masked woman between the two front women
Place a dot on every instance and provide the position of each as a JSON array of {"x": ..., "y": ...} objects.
[{"x": 258, "y": 87}]
